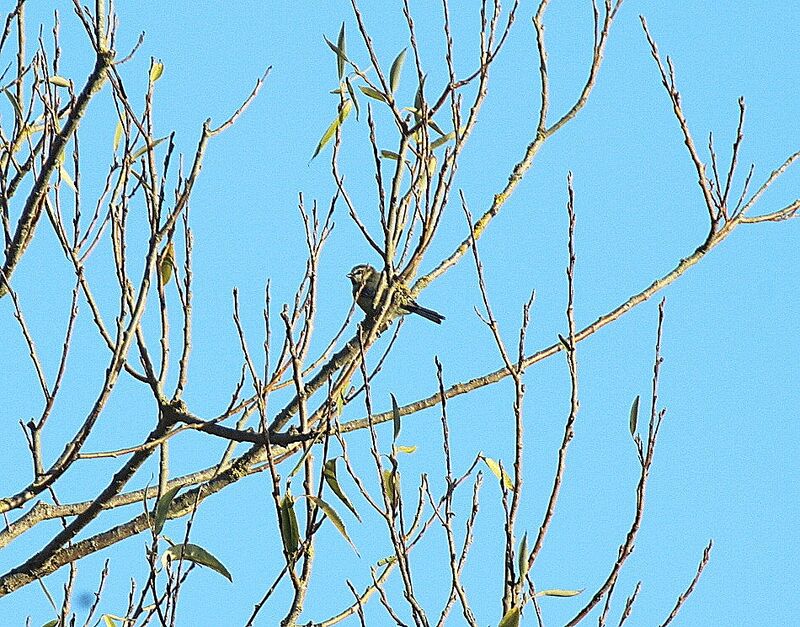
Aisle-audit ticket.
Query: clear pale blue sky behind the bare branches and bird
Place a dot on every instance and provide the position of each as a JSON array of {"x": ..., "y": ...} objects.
[{"x": 726, "y": 467}]
